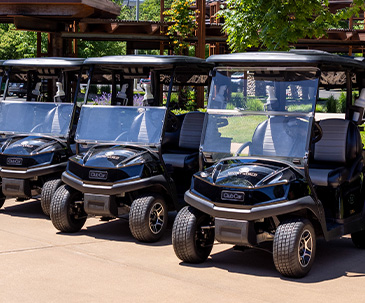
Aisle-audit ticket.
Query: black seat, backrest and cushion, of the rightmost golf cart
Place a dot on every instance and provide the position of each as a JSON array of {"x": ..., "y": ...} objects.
[{"x": 337, "y": 157}]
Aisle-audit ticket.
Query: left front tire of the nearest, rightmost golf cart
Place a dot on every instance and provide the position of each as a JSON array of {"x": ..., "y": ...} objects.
[{"x": 190, "y": 243}]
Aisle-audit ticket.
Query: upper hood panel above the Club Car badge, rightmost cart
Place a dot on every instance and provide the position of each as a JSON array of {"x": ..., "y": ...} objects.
[{"x": 247, "y": 173}]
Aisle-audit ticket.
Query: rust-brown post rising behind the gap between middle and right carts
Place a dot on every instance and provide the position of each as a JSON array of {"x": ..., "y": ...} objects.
[{"x": 200, "y": 47}]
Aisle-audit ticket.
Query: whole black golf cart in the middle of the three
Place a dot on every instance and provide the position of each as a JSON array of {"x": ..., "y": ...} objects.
[{"x": 133, "y": 156}]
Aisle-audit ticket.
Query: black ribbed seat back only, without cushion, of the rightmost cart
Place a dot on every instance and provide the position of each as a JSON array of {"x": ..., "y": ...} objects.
[{"x": 340, "y": 142}]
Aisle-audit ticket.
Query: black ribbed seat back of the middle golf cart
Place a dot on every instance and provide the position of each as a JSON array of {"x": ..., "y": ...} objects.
[{"x": 191, "y": 130}]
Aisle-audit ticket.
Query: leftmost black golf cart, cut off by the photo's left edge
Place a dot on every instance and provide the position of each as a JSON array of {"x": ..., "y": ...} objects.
[{"x": 39, "y": 131}]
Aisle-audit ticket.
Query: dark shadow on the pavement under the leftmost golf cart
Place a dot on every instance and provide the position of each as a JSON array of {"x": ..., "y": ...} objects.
[{"x": 26, "y": 209}]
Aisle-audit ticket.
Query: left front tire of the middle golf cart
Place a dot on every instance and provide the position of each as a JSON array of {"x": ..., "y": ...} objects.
[{"x": 66, "y": 215}]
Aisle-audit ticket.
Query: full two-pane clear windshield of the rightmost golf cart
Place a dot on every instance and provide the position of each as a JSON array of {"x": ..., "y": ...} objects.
[{"x": 260, "y": 112}]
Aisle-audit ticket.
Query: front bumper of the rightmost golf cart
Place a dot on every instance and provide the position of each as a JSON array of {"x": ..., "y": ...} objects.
[{"x": 254, "y": 212}]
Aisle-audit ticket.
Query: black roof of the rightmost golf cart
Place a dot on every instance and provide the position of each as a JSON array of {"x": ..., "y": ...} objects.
[{"x": 323, "y": 60}]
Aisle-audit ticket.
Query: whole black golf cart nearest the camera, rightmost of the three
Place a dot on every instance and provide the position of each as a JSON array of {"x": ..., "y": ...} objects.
[{"x": 281, "y": 177}]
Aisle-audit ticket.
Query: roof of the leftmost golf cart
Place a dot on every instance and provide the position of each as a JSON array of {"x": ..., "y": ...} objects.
[{"x": 50, "y": 62}]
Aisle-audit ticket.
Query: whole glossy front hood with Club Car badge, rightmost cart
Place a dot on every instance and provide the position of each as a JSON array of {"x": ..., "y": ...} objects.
[{"x": 248, "y": 181}]
